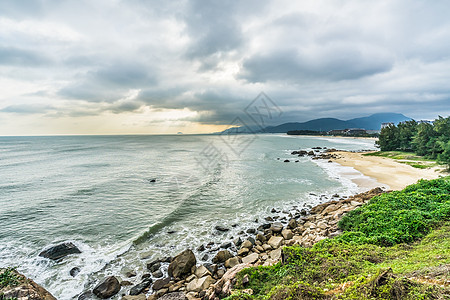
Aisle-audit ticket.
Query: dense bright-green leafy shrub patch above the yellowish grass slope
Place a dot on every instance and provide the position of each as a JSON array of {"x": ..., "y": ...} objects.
[{"x": 399, "y": 217}]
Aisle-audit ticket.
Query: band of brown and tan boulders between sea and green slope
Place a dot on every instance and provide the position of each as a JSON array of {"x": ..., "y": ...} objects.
[{"x": 189, "y": 280}]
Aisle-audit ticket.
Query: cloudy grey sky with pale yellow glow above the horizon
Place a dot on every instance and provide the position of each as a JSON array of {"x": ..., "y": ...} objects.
[{"x": 144, "y": 66}]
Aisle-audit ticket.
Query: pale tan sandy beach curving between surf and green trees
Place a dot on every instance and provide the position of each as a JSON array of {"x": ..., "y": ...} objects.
[{"x": 387, "y": 172}]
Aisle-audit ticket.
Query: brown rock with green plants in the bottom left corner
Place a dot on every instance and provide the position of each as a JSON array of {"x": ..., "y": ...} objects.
[{"x": 26, "y": 289}]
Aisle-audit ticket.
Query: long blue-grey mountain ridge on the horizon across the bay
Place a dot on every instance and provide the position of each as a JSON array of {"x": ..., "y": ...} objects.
[{"x": 372, "y": 122}]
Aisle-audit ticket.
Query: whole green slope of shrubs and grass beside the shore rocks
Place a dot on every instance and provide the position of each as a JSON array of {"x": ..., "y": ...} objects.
[{"x": 397, "y": 246}]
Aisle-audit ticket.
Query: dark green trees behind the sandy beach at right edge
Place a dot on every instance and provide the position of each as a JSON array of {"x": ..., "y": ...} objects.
[{"x": 431, "y": 140}]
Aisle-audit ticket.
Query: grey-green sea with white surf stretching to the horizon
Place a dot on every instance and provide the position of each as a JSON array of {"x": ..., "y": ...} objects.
[{"x": 126, "y": 200}]
